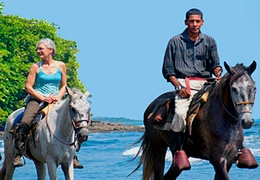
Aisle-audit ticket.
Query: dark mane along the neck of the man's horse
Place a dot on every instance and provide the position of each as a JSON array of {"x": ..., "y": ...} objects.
[{"x": 228, "y": 78}]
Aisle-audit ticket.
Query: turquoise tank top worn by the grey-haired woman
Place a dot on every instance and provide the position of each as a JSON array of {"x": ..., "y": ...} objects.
[{"x": 47, "y": 84}]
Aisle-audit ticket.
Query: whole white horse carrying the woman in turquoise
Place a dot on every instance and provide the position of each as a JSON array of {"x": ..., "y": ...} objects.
[{"x": 54, "y": 140}]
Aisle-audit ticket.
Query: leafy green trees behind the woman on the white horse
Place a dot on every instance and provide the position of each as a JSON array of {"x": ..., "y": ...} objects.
[{"x": 18, "y": 39}]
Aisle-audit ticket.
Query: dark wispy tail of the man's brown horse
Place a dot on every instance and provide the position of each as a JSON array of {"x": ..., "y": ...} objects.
[{"x": 146, "y": 158}]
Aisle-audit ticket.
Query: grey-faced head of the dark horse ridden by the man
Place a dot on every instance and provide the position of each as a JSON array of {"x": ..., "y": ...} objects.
[{"x": 242, "y": 90}]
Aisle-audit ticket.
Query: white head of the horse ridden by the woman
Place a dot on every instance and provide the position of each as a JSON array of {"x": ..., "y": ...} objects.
[{"x": 80, "y": 112}]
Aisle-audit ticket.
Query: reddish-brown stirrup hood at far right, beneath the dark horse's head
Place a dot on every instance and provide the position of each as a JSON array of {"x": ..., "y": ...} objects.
[{"x": 245, "y": 159}]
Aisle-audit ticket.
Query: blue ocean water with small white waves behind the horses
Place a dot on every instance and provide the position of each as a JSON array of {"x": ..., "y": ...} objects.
[{"x": 107, "y": 156}]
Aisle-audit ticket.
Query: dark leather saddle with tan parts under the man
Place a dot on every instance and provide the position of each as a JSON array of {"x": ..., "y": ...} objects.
[{"x": 165, "y": 107}]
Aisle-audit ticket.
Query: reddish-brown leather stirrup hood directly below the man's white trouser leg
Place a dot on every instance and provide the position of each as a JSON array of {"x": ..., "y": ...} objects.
[{"x": 181, "y": 161}]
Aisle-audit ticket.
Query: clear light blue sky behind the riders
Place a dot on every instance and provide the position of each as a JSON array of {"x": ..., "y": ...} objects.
[{"x": 122, "y": 43}]
